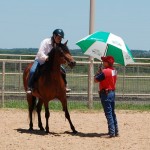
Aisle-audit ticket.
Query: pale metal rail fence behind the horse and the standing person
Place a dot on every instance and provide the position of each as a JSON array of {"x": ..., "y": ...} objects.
[{"x": 133, "y": 80}]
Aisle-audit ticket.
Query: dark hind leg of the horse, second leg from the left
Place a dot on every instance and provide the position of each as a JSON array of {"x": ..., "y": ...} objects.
[{"x": 39, "y": 108}]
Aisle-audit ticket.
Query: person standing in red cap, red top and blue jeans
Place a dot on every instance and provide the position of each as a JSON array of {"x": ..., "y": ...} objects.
[{"x": 107, "y": 83}]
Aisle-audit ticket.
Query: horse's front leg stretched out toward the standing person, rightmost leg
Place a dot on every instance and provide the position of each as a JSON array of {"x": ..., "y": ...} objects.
[{"x": 67, "y": 115}]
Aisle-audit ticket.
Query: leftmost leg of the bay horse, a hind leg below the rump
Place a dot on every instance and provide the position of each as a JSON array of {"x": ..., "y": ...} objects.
[{"x": 31, "y": 105}]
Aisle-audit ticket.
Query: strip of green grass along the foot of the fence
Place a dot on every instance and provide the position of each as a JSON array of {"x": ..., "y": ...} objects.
[{"x": 56, "y": 106}]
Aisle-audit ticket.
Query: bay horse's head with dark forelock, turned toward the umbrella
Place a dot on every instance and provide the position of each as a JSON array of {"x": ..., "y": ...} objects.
[{"x": 63, "y": 55}]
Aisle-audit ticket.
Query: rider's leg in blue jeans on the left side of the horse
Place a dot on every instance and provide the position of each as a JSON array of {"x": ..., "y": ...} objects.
[{"x": 32, "y": 71}]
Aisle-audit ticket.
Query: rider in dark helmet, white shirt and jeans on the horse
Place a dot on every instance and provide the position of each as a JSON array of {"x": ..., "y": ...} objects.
[{"x": 45, "y": 47}]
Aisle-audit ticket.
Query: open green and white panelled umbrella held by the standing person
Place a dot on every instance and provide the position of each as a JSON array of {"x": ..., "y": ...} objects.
[{"x": 101, "y": 44}]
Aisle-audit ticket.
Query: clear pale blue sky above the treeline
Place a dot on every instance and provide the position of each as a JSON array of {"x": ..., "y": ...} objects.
[{"x": 25, "y": 23}]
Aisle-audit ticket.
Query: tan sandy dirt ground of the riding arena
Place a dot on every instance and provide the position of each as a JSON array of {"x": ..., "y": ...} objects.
[{"x": 92, "y": 127}]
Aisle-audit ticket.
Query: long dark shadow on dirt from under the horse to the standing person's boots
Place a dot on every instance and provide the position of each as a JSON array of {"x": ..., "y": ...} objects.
[{"x": 43, "y": 133}]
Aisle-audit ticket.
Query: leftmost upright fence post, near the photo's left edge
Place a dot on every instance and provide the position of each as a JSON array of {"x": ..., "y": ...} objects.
[{"x": 3, "y": 84}]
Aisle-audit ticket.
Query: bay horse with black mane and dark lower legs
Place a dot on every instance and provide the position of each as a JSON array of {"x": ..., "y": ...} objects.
[{"x": 49, "y": 85}]
